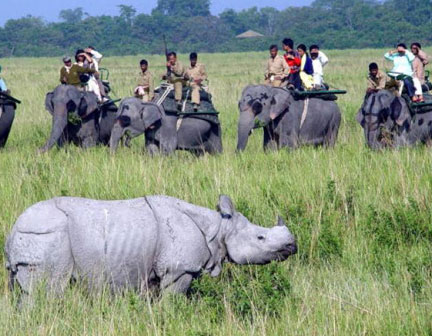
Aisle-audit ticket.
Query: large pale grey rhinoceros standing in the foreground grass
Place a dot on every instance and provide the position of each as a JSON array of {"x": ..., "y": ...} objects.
[{"x": 153, "y": 242}]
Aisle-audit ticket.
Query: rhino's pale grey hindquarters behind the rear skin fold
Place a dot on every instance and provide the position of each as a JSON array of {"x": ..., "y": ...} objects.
[{"x": 40, "y": 254}]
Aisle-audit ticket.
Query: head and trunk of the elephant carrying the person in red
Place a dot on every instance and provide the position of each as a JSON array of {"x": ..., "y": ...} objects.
[{"x": 259, "y": 105}]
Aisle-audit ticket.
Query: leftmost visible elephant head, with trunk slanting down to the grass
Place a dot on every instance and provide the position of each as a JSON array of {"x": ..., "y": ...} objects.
[{"x": 63, "y": 100}]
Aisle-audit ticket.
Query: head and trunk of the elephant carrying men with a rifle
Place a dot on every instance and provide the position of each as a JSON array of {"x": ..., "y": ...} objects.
[{"x": 135, "y": 118}]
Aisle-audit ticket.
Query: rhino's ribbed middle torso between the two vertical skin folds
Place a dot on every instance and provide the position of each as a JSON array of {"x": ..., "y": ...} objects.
[{"x": 112, "y": 241}]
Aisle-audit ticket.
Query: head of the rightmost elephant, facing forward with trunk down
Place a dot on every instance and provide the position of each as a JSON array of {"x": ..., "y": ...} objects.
[{"x": 381, "y": 113}]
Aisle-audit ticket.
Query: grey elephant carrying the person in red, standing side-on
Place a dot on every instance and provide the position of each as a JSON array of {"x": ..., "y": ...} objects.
[{"x": 280, "y": 114}]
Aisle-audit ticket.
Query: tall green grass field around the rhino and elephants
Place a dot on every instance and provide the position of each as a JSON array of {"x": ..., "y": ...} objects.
[{"x": 362, "y": 219}]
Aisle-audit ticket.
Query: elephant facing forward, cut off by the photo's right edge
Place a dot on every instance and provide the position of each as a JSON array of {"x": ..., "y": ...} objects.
[{"x": 387, "y": 121}]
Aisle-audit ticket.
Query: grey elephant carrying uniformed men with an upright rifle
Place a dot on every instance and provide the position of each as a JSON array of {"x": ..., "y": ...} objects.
[{"x": 197, "y": 134}]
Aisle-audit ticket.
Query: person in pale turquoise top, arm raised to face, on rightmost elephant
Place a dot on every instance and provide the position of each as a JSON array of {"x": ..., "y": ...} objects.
[{"x": 403, "y": 70}]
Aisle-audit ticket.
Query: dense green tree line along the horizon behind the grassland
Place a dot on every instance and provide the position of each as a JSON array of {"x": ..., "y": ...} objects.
[{"x": 190, "y": 26}]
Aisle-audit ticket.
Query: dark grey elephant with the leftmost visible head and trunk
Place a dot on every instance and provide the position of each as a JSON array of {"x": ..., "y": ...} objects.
[{"x": 91, "y": 124}]
